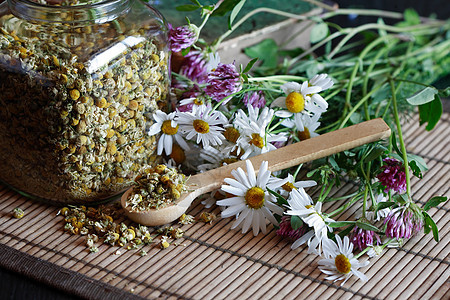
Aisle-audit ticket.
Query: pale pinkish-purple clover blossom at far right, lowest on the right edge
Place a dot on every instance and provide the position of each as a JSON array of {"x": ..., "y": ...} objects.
[{"x": 403, "y": 222}]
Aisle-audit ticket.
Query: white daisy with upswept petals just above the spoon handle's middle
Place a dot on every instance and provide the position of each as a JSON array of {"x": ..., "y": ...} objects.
[{"x": 254, "y": 138}]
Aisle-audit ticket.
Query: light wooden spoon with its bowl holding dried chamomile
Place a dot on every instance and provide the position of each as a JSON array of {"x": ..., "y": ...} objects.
[{"x": 279, "y": 159}]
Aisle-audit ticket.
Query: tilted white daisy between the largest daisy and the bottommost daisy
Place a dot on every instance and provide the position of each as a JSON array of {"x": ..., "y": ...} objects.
[{"x": 301, "y": 205}]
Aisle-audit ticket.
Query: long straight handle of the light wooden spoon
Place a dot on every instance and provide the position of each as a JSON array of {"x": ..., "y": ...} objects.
[{"x": 297, "y": 153}]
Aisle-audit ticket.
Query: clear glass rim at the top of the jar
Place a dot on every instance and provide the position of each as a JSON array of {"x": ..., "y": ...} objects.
[{"x": 99, "y": 12}]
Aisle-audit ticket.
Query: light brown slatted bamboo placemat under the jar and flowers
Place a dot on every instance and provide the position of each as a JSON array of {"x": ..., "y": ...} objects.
[{"x": 212, "y": 261}]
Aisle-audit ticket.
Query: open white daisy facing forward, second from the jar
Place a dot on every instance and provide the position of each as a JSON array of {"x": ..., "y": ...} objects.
[{"x": 203, "y": 124}]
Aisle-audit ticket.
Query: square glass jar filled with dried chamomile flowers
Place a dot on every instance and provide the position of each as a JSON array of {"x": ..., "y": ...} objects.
[{"x": 79, "y": 83}]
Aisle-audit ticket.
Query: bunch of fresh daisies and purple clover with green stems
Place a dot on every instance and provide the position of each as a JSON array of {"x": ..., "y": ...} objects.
[{"x": 224, "y": 112}]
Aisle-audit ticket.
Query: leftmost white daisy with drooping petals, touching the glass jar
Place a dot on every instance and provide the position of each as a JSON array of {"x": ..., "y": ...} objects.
[{"x": 168, "y": 127}]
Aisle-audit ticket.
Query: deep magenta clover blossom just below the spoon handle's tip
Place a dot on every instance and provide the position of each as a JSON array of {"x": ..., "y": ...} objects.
[{"x": 393, "y": 176}]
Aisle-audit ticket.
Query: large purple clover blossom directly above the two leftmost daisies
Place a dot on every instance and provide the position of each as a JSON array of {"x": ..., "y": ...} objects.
[{"x": 222, "y": 82}]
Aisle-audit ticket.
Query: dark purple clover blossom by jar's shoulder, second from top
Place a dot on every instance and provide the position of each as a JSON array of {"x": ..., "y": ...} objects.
[{"x": 195, "y": 67}]
